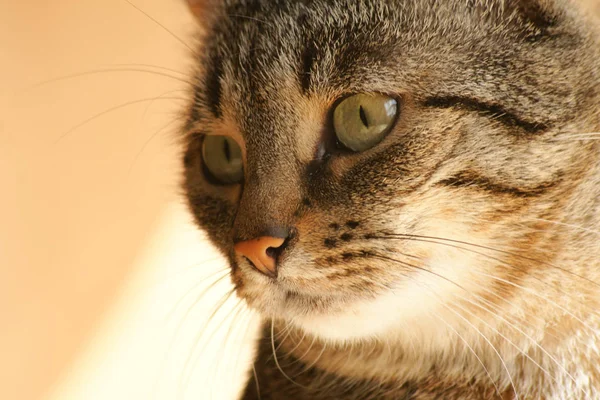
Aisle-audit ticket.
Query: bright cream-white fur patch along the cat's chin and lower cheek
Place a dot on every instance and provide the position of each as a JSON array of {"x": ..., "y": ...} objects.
[{"x": 410, "y": 310}]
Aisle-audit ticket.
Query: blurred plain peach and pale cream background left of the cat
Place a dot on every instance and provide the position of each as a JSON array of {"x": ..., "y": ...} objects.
[{"x": 103, "y": 276}]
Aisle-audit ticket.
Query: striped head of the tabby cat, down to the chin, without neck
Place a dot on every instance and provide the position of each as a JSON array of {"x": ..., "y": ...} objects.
[{"x": 394, "y": 156}]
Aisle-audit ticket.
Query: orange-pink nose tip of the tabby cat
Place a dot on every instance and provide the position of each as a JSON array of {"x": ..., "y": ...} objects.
[{"x": 261, "y": 253}]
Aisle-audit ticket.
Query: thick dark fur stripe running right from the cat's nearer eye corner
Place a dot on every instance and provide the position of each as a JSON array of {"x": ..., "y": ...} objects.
[{"x": 494, "y": 111}]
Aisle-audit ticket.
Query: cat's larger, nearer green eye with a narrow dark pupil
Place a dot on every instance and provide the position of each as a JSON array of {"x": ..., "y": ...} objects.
[{"x": 363, "y": 120}]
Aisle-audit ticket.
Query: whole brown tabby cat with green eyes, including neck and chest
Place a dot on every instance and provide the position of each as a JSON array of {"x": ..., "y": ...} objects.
[{"x": 408, "y": 191}]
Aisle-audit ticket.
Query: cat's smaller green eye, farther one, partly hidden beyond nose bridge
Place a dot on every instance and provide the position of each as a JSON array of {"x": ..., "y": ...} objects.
[{"x": 222, "y": 159}]
